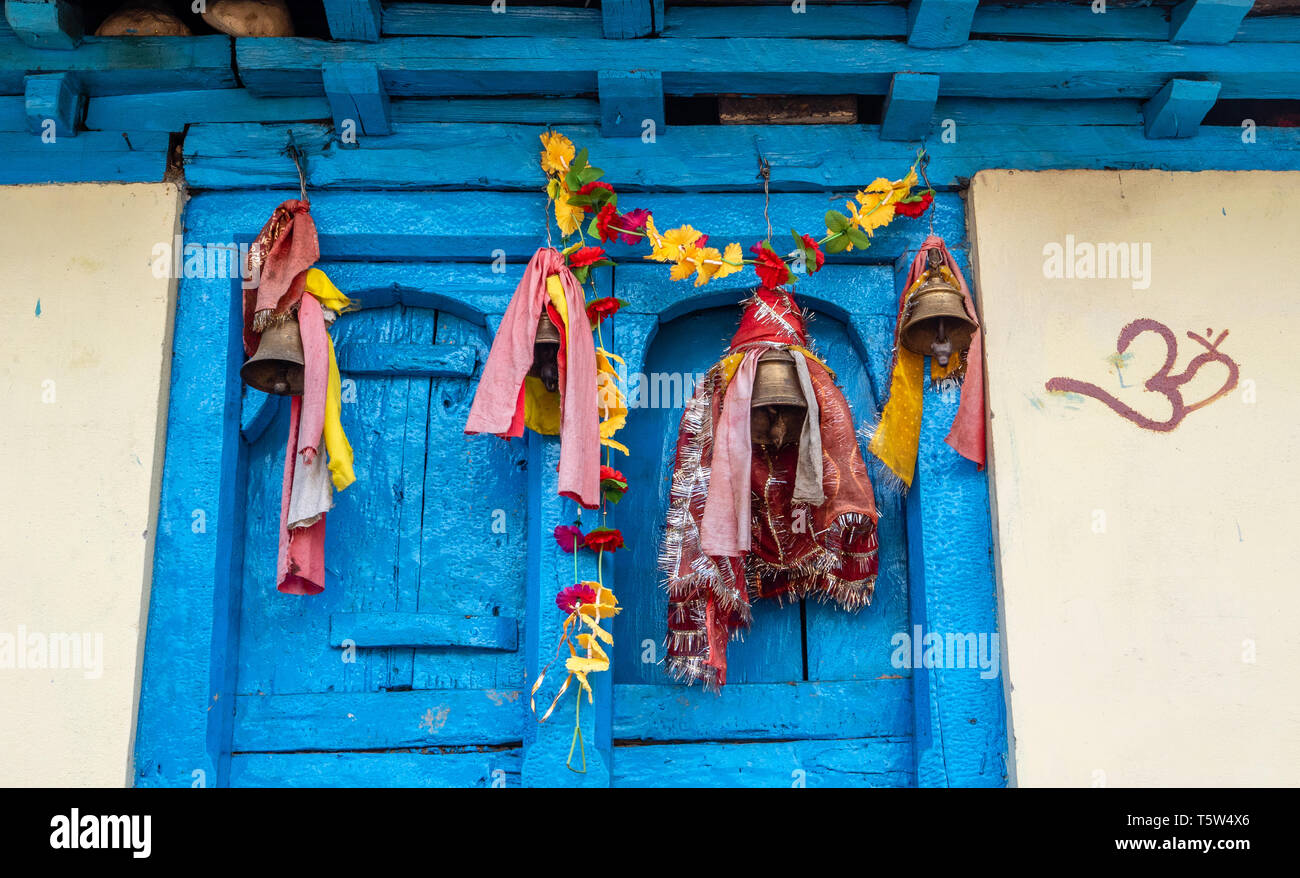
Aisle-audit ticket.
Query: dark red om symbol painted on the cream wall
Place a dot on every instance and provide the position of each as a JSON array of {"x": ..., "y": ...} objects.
[{"x": 1163, "y": 382}]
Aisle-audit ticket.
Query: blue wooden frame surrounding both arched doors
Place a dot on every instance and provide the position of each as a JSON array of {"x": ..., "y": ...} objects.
[{"x": 187, "y": 703}]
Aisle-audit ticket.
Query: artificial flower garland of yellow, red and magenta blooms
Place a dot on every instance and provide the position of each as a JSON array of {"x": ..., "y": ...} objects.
[{"x": 575, "y": 191}]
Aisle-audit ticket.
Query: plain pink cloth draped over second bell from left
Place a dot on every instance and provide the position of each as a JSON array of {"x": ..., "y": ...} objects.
[{"x": 499, "y": 406}]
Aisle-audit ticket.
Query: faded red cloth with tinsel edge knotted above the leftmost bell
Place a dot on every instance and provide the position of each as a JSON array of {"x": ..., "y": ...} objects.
[{"x": 285, "y": 248}]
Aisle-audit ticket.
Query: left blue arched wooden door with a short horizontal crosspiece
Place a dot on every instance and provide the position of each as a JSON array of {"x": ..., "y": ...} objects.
[{"x": 406, "y": 671}]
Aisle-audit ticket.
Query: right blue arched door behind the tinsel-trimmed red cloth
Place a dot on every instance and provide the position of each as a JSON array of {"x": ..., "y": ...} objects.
[{"x": 812, "y": 697}]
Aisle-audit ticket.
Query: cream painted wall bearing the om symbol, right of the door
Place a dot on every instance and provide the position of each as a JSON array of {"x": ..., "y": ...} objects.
[{"x": 1149, "y": 579}]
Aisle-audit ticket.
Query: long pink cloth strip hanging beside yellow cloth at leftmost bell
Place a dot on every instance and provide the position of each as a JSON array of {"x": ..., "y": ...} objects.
[{"x": 301, "y": 564}]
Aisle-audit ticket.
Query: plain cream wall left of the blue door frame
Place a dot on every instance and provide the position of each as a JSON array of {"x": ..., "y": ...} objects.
[{"x": 84, "y": 386}]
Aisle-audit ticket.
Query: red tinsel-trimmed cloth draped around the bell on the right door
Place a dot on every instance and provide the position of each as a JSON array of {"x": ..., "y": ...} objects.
[{"x": 796, "y": 551}]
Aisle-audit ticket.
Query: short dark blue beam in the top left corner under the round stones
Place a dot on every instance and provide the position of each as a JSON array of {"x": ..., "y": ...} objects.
[{"x": 111, "y": 66}]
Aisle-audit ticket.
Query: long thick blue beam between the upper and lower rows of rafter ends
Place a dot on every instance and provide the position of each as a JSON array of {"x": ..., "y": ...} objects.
[{"x": 434, "y": 67}]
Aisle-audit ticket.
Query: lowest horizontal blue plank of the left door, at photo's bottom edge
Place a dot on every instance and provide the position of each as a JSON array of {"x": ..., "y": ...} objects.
[{"x": 492, "y": 768}]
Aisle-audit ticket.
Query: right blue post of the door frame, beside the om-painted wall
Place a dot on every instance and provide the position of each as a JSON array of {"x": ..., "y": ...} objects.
[{"x": 959, "y": 713}]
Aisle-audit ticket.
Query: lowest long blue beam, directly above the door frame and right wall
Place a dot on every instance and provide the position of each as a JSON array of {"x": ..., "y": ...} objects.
[{"x": 713, "y": 158}]
